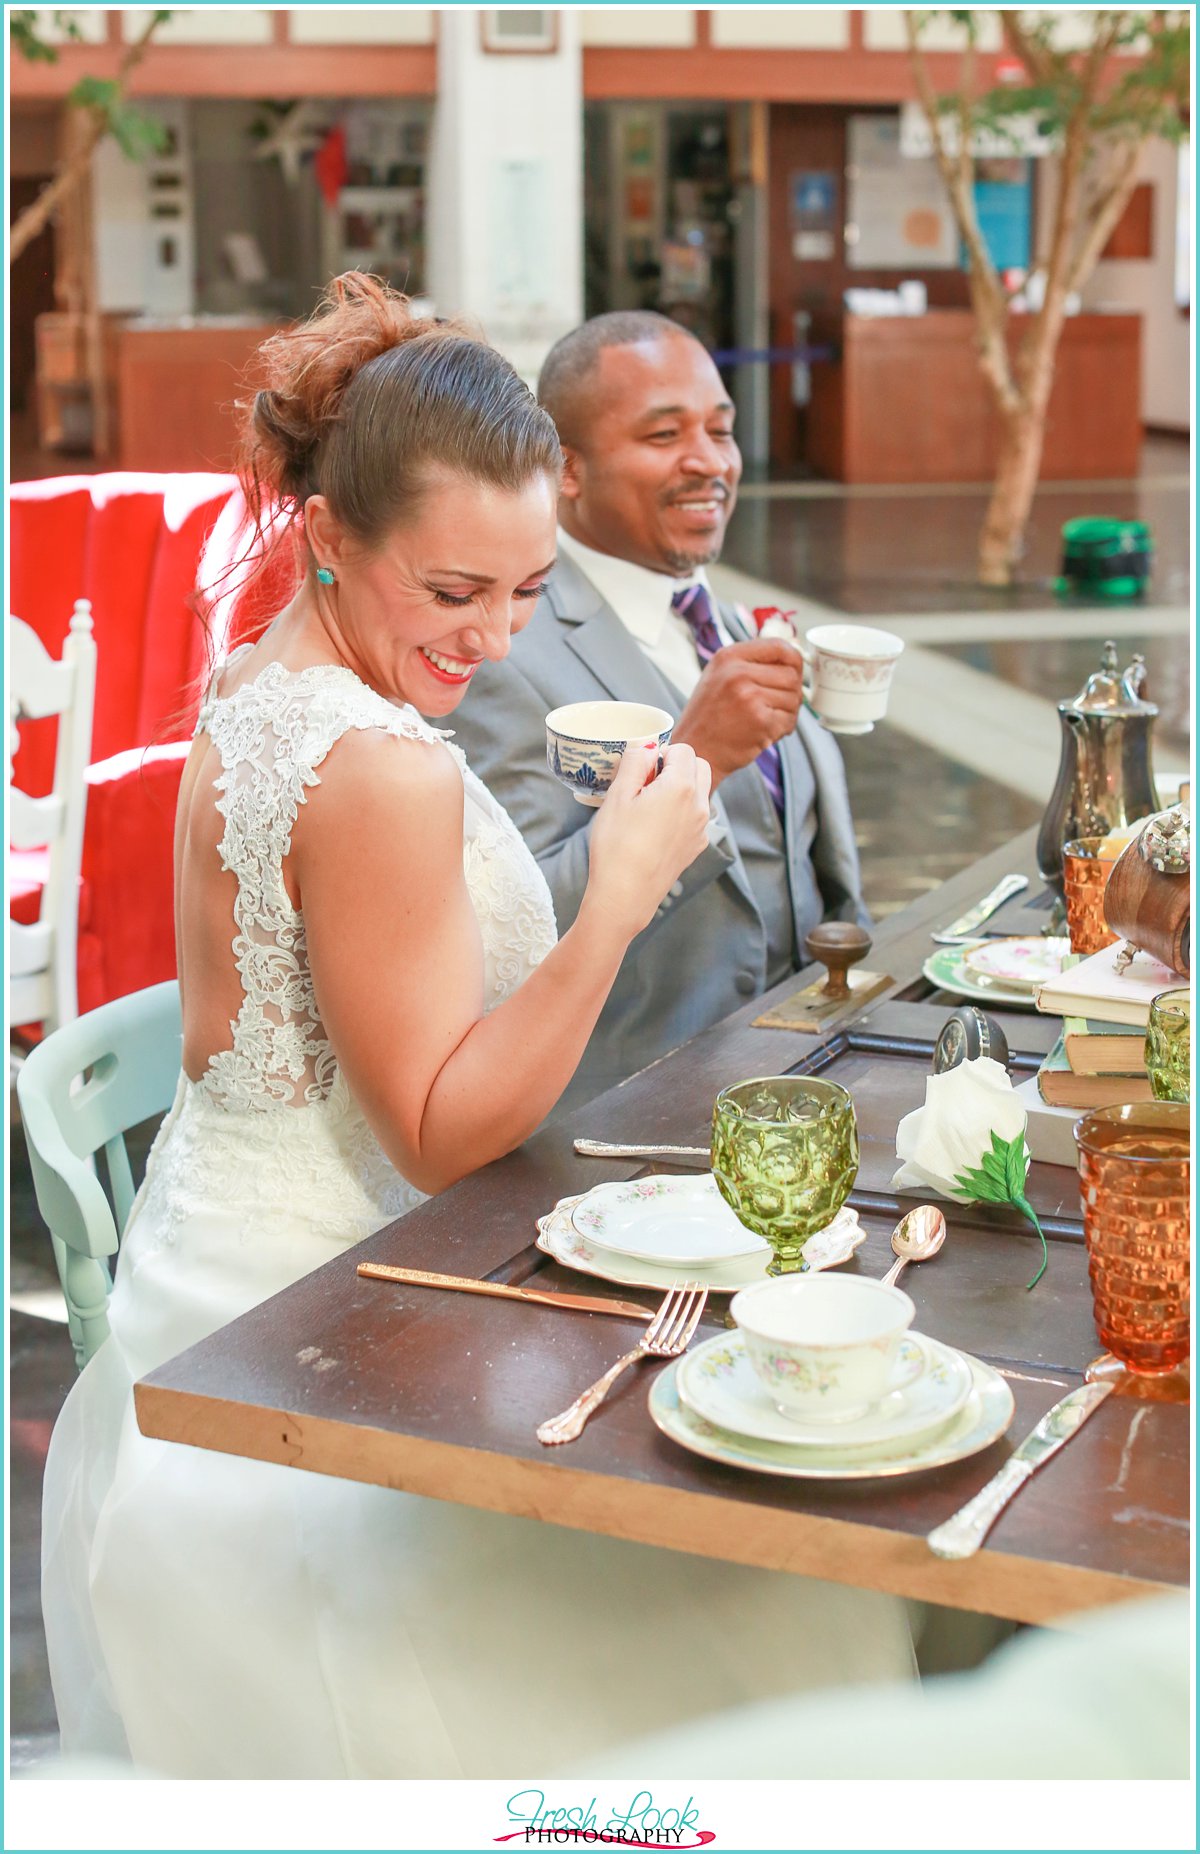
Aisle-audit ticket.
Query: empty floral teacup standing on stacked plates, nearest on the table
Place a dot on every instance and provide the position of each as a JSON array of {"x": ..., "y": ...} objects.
[{"x": 823, "y": 1345}]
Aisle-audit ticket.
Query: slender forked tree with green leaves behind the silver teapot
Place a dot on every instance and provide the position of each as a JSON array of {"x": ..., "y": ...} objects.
[{"x": 1095, "y": 107}]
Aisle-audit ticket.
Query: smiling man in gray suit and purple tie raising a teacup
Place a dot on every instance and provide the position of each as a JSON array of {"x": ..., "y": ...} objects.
[{"x": 652, "y": 477}]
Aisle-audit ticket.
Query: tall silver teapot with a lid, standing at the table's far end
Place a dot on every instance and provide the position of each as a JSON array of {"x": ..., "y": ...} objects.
[{"x": 1106, "y": 776}]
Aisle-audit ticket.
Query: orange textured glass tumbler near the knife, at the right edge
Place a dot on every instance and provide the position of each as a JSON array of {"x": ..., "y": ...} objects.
[{"x": 1136, "y": 1186}]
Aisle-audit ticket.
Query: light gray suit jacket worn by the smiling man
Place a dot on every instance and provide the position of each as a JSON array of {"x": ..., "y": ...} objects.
[{"x": 706, "y": 950}]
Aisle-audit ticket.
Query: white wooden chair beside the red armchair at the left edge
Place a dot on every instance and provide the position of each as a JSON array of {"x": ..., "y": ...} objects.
[{"x": 44, "y": 954}]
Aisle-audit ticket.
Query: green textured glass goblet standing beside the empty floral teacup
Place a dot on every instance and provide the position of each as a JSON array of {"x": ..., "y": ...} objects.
[{"x": 785, "y": 1156}]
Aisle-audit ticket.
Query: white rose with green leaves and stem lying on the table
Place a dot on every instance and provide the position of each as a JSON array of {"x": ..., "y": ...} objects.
[{"x": 969, "y": 1143}]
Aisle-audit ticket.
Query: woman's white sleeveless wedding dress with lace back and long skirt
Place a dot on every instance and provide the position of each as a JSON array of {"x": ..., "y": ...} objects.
[{"x": 216, "y": 1618}]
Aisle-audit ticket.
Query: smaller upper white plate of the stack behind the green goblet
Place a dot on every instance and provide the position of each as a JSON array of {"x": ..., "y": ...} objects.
[{"x": 667, "y": 1219}]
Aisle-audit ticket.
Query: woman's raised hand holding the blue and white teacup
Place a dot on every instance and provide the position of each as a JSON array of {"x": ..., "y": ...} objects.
[{"x": 646, "y": 833}]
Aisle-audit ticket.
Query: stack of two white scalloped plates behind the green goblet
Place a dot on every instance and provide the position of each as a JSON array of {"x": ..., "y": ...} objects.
[{"x": 656, "y": 1232}]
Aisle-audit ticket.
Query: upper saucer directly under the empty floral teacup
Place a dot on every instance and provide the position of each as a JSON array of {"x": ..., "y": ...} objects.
[{"x": 930, "y": 1386}]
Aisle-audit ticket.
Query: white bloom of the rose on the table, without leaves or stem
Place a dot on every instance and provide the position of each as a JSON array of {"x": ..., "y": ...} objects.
[{"x": 954, "y": 1130}]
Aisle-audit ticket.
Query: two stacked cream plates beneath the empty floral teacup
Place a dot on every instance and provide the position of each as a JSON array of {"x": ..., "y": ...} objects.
[{"x": 941, "y": 1406}]
